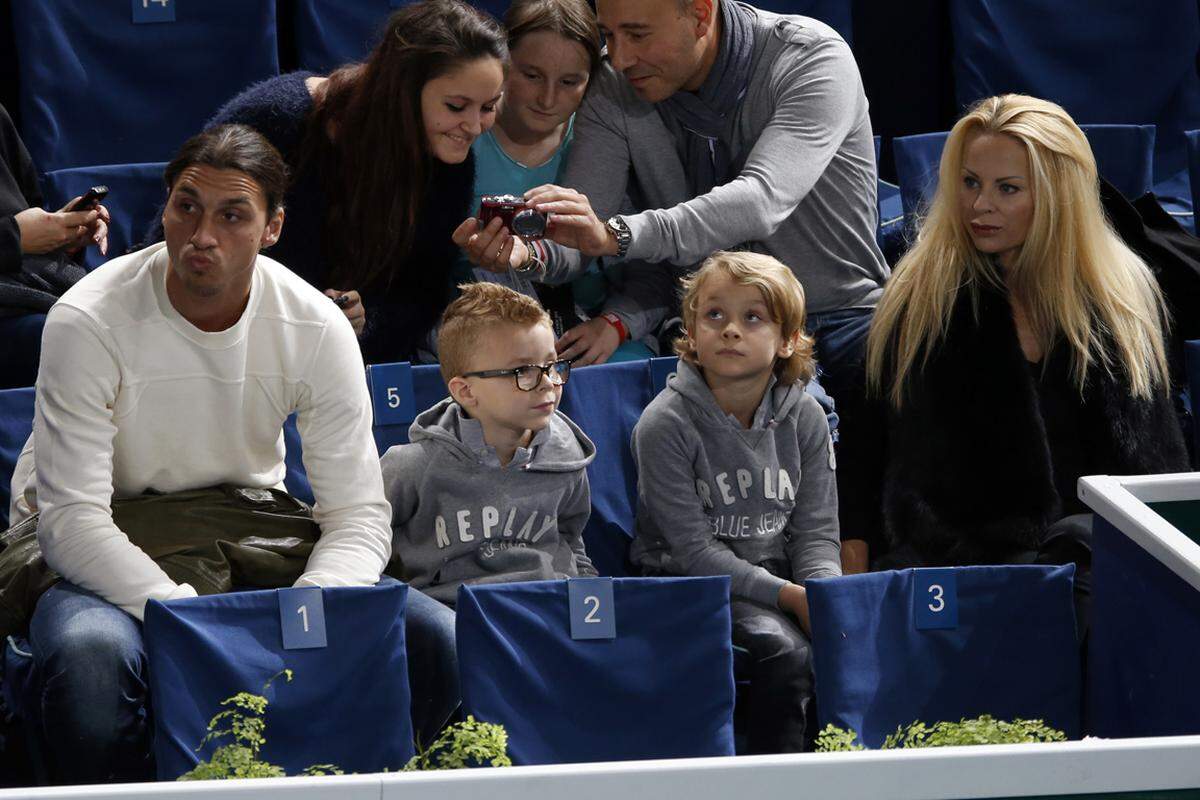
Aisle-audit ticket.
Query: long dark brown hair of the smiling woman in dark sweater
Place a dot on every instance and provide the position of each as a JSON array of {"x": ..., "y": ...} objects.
[{"x": 367, "y": 135}]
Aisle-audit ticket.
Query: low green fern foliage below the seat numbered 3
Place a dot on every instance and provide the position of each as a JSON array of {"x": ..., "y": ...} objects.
[{"x": 981, "y": 731}]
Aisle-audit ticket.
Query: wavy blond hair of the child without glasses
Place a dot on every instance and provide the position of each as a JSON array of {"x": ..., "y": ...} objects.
[{"x": 785, "y": 303}]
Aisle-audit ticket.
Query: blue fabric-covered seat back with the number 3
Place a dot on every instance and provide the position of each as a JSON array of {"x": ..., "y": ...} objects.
[{"x": 1005, "y": 646}]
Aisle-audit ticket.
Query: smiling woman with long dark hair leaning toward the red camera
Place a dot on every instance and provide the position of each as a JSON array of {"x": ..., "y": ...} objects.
[{"x": 383, "y": 172}]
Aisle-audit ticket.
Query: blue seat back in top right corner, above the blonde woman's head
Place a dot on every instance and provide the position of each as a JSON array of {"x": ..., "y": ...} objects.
[{"x": 1065, "y": 52}]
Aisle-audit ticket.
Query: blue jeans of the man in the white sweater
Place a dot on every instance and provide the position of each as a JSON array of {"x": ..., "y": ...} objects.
[{"x": 94, "y": 705}]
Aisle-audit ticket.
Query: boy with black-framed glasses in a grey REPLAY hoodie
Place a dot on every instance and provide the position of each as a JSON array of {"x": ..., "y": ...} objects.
[{"x": 494, "y": 488}]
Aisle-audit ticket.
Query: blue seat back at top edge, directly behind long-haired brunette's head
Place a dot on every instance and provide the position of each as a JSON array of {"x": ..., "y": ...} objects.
[{"x": 333, "y": 33}]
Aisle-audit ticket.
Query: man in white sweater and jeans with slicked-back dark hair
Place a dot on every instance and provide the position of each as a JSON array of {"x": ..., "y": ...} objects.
[{"x": 175, "y": 369}]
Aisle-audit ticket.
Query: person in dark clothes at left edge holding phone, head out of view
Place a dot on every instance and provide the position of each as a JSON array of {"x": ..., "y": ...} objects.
[{"x": 37, "y": 246}]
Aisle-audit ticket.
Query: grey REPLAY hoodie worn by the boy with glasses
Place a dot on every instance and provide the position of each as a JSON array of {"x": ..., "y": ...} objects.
[{"x": 460, "y": 518}]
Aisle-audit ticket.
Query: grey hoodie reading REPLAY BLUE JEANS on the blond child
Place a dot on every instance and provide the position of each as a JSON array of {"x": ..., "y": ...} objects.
[{"x": 713, "y": 498}]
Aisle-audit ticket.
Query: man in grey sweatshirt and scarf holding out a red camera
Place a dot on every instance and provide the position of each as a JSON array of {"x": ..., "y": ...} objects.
[{"x": 728, "y": 128}]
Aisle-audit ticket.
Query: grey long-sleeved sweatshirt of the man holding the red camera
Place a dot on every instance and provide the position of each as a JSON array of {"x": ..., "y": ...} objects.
[{"x": 806, "y": 190}]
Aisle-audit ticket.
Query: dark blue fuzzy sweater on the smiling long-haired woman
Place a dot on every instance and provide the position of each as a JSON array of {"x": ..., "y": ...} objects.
[{"x": 401, "y": 312}]
